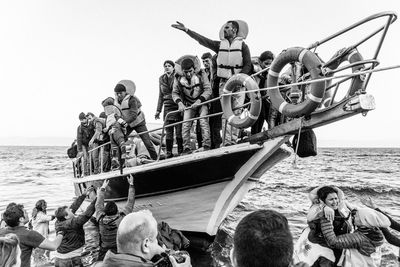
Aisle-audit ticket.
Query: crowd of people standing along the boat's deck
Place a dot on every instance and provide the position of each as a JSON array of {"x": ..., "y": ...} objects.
[{"x": 185, "y": 91}]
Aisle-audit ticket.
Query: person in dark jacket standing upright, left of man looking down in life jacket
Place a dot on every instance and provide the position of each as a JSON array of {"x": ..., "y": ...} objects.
[{"x": 165, "y": 98}]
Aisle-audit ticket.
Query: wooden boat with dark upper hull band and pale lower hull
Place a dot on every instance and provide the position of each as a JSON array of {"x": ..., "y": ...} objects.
[{"x": 195, "y": 192}]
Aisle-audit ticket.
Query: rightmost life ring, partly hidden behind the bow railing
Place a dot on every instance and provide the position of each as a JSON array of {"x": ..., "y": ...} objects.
[{"x": 352, "y": 56}]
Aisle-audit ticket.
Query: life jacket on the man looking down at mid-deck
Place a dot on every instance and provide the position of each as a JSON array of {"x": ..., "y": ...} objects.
[{"x": 192, "y": 89}]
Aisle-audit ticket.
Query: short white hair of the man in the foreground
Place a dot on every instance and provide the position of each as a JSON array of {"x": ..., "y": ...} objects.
[{"x": 133, "y": 229}]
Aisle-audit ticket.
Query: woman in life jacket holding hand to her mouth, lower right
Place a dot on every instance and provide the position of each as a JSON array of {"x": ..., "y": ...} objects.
[{"x": 328, "y": 202}]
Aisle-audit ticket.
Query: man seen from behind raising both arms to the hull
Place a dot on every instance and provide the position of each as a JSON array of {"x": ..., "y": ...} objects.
[{"x": 109, "y": 217}]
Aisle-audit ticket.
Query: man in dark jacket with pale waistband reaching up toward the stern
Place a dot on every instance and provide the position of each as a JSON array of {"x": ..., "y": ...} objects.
[{"x": 69, "y": 252}]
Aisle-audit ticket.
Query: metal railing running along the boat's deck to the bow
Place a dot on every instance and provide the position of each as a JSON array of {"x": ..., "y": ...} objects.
[{"x": 301, "y": 81}]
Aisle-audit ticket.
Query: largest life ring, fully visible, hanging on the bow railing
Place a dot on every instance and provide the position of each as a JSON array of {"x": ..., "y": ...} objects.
[{"x": 317, "y": 89}]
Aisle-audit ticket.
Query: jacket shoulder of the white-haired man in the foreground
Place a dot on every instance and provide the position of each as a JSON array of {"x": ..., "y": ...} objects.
[{"x": 125, "y": 260}]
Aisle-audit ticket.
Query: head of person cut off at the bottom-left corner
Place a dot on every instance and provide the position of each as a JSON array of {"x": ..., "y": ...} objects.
[{"x": 10, "y": 253}]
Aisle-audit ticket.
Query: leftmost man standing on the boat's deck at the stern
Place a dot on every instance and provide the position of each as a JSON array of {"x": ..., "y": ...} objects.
[{"x": 84, "y": 134}]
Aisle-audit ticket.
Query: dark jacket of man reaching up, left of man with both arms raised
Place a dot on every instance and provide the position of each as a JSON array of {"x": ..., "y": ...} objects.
[{"x": 74, "y": 235}]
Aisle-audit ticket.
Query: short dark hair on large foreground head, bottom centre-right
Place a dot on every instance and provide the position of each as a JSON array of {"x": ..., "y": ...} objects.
[{"x": 262, "y": 239}]
